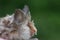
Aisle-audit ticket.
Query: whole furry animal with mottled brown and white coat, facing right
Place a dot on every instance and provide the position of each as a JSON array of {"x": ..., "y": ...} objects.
[{"x": 18, "y": 26}]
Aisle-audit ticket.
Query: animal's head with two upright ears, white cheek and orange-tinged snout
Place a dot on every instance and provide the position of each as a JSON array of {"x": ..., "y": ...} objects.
[{"x": 26, "y": 27}]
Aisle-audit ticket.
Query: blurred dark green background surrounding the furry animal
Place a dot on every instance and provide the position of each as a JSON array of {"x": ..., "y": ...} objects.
[{"x": 45, "y": 13}]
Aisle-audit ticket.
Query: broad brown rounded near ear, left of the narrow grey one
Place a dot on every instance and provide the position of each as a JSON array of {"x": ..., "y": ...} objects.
[{"x": 19, "y": 15}]
